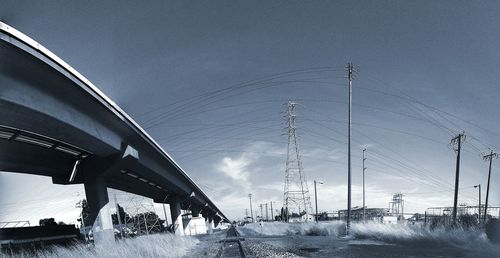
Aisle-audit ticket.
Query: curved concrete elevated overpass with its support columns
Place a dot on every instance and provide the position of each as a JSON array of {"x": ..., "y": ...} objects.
[{"x": 54, "y": 122}]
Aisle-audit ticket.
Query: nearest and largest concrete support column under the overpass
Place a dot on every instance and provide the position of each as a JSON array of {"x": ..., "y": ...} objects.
[{"x": 97, "y": 198}]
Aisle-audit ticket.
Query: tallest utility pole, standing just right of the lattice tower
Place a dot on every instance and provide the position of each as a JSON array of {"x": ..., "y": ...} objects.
[{"x": 348, "y": 225}]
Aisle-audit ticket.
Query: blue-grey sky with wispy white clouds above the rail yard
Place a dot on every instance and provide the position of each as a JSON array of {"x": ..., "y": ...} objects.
[{"x": 209, "y": 80}]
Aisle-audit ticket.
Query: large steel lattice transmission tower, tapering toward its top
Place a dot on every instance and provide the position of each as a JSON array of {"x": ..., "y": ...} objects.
[{"x": 297, "y": 201}]
